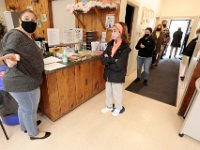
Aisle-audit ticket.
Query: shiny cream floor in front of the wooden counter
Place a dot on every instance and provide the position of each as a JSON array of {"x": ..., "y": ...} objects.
[{"x": 147, "y": 124}]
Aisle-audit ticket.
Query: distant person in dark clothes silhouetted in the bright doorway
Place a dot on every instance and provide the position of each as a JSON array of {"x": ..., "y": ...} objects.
[{"x": 176, "y": 42}]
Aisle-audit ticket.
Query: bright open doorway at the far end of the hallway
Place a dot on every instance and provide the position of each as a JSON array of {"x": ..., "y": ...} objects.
[{"x": 184, "y": 24}]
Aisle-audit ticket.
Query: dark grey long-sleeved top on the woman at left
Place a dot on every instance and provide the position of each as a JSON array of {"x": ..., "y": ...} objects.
[{"x": 27, "y": 74}]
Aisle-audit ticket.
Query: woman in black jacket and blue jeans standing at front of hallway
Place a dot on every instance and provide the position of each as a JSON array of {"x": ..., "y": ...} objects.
[{"x": 145, "y": 47}]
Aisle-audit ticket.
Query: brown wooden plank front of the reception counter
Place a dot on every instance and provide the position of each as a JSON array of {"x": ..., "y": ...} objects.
[{"x": 65, "y": 89}]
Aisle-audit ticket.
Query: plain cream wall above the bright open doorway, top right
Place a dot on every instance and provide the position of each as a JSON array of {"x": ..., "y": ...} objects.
[{"x": 180, "y": 8}]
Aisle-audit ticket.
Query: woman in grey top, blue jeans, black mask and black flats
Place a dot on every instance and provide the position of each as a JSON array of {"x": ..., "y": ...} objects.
[{"x": 23, "y": 77}]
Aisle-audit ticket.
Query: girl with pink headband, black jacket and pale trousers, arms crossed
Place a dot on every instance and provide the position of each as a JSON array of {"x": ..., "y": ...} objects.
[{"x": 115, "y": 59}]
